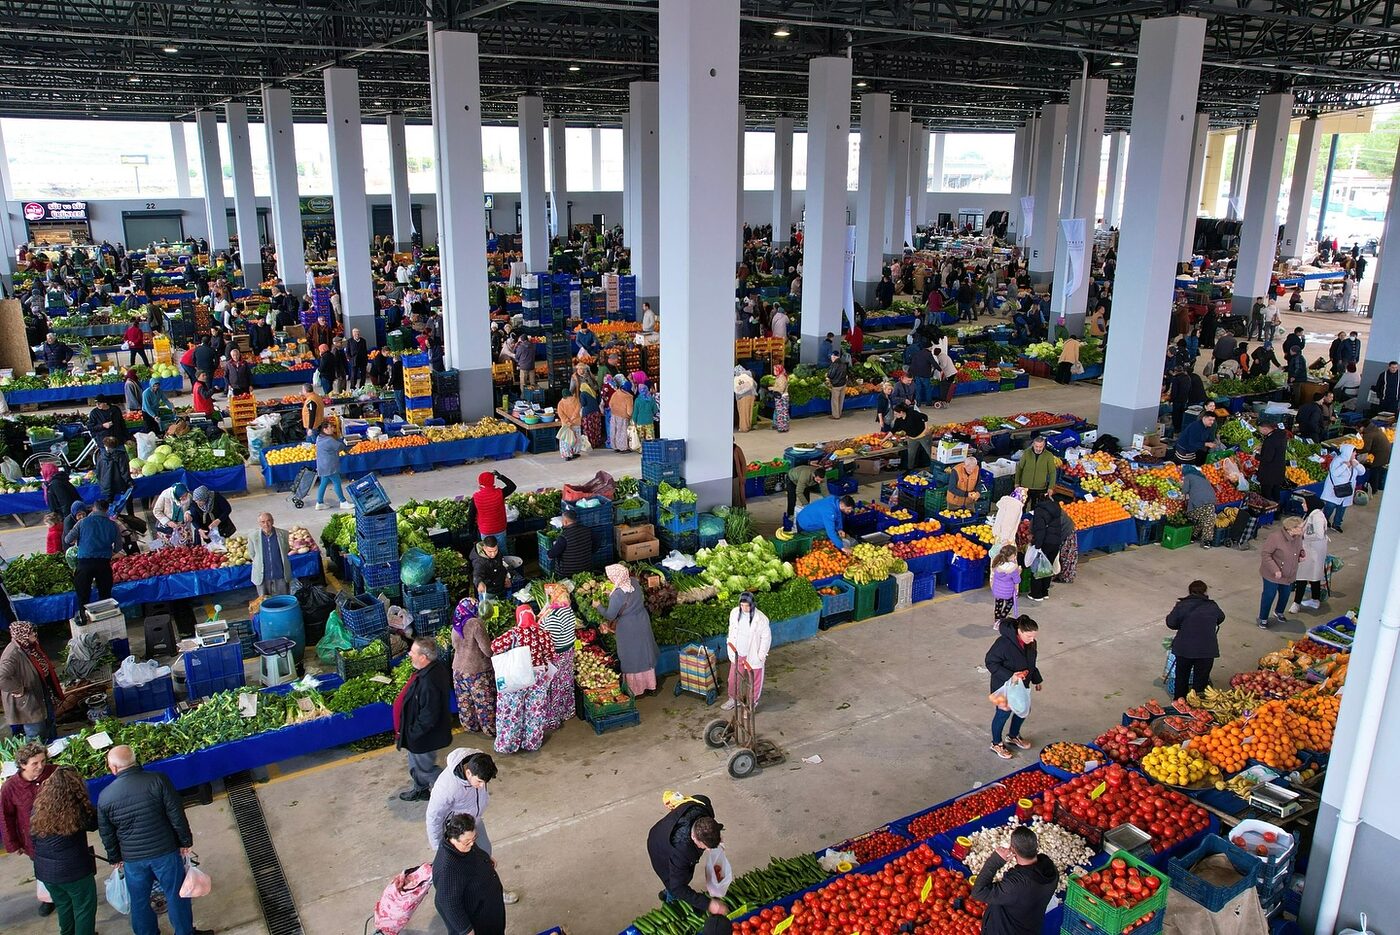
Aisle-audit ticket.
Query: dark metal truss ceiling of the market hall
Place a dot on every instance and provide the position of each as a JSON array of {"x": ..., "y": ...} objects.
[{"x": 954, "y": 64}]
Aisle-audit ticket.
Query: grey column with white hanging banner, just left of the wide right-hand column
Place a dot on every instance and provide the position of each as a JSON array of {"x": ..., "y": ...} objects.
[{"x": 1080, "y": 194}]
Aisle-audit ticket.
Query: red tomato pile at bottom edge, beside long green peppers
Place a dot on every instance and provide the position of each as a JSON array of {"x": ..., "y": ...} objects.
[{"x": 881, "y": 904}]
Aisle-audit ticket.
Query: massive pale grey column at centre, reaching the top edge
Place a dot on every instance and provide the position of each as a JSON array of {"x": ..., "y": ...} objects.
[{"x": 699, "y": 69}]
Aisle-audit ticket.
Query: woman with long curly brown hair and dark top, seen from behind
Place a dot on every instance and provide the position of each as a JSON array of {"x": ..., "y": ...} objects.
[{"x": 64, "y": 862}]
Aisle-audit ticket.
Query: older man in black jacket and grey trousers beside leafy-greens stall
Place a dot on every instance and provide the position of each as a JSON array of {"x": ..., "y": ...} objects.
[{"x": 423, "y": 717}]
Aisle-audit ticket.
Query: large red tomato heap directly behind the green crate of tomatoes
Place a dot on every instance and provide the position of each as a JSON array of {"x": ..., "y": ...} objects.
[{"x": 1128, "y": 797}]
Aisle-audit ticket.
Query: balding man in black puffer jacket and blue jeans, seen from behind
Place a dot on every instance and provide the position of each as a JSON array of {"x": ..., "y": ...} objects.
[{"x": 145, "y": 832}]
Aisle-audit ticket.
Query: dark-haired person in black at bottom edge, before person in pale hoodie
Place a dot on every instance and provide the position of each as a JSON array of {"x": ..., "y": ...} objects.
[{"x": 467, "y": 891}]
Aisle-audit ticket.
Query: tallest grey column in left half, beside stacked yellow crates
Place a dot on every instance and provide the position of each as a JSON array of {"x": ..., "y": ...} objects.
[{"x": 456, "y": 86}]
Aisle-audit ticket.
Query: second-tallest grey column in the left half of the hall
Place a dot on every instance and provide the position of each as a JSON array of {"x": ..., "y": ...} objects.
[{"x": 352, "y": 208}]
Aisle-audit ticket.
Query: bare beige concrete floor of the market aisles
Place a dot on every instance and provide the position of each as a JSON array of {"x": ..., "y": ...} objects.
[{"x": 895, "y": 708}]
